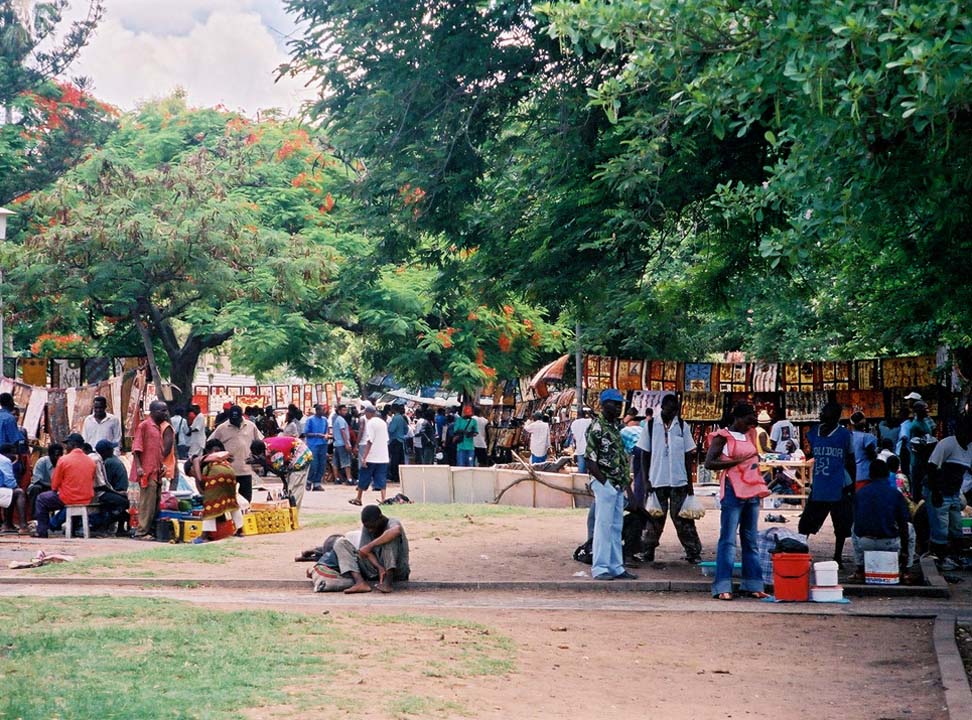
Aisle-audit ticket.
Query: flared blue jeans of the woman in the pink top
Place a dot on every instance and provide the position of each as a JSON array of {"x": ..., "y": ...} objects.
[{"x": 744, "y": 515}]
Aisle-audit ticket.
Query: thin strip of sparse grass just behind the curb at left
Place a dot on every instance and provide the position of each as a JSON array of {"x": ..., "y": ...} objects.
[{"x": 215, "y": 553}]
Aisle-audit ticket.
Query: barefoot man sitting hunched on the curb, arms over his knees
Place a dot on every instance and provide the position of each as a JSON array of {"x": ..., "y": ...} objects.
[{"x": 382, "y": 553}]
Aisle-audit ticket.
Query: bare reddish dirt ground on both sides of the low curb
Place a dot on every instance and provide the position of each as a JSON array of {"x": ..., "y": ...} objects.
[{"x": 581, "y": 655}]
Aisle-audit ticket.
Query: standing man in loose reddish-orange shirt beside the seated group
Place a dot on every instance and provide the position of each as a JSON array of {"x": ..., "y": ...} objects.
[{"x": 152, "y": 449}]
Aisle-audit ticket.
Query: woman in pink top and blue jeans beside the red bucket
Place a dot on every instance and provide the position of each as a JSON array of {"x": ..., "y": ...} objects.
[{"x": 733, "y": 451}]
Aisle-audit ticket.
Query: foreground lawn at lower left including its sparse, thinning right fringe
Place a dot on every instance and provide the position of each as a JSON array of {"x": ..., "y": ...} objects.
[{"x": 78, "y": 658}]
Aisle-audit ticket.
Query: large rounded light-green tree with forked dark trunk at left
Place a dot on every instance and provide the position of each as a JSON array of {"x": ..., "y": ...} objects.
[{"x": 191, "y": 227}]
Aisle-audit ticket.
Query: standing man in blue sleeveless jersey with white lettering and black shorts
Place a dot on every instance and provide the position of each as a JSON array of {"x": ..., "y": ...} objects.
[{"x": 832, "y": 492}]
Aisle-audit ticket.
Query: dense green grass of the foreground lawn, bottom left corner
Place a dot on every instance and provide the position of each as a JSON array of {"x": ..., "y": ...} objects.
[{"x": 121, "y": 658}]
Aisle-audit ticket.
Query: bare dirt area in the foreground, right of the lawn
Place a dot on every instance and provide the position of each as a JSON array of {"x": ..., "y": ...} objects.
[{"x": 588, "y": 665}]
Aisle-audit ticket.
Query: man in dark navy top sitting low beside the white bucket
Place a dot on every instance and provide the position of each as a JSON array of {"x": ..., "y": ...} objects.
[{"x": 881, "y": 521}]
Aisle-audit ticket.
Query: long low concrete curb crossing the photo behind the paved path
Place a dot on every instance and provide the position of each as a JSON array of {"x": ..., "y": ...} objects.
[{"x": 578, "y": 585}]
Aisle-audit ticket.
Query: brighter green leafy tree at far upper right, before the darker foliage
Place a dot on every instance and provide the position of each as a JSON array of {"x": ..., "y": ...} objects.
[{"x": 860, "y": 110}]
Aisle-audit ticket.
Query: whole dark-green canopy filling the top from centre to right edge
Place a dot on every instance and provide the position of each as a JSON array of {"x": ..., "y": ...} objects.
[{"x": 683, "y": 177}]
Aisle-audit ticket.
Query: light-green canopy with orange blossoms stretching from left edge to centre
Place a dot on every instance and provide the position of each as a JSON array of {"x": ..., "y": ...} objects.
[{"x": 194, "y": 227}]
